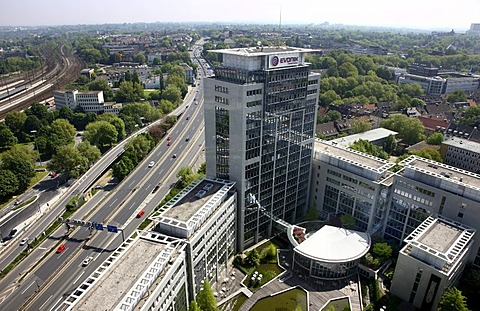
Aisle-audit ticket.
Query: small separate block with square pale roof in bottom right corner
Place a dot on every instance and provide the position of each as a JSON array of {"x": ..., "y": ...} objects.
[{"x": 431, "y": 261}]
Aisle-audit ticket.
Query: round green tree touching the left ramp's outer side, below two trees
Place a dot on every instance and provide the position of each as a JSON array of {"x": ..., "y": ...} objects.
[{"x": 69, "y": 160}]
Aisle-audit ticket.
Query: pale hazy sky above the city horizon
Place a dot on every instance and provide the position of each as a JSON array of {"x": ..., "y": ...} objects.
[{"x": 415, "y": 14}]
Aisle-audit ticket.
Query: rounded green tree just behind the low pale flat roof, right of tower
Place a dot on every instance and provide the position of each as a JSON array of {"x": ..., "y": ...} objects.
[{"x": 410, "y": 130}]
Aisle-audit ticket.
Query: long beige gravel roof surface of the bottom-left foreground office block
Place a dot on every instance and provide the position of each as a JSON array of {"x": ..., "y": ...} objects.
[{"x": 120, "y": 277}]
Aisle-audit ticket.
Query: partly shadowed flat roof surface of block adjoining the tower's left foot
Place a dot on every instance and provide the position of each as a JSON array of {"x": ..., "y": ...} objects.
[{"x": 188, "y": 205}]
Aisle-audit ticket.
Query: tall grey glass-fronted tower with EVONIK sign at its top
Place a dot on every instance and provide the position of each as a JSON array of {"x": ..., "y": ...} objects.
[{"x": 260, "y": 114}]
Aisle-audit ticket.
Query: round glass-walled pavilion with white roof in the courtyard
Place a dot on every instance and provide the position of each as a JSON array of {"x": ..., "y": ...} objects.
[{"x": 331, "y": 253}]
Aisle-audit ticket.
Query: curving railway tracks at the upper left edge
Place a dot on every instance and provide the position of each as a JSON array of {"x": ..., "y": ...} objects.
[{"x": 18, "y": 93}]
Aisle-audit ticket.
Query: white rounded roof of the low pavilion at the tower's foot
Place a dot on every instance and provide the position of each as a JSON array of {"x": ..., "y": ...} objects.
[{"x": 335, "y": 245}]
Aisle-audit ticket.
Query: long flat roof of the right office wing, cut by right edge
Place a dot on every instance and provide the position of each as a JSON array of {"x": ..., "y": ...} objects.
[{"x": 443, "y": 171}]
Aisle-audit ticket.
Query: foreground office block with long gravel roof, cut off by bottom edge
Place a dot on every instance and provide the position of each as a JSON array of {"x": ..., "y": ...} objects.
[{"x": 147, "y": 272}]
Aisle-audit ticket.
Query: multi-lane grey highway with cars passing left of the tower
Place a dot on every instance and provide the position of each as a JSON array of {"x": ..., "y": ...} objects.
[{"x": 125, "y": 201}]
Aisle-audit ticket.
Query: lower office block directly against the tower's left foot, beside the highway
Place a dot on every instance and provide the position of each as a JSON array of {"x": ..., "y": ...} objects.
[{"x": 203, "y": 214}]
